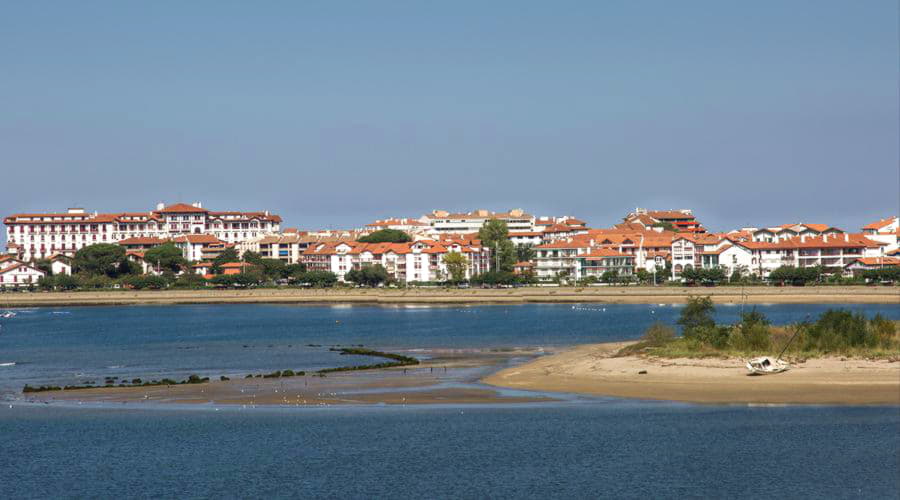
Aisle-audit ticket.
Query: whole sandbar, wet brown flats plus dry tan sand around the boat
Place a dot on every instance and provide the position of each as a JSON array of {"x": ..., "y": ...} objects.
[{"x": 464, "y": 377}]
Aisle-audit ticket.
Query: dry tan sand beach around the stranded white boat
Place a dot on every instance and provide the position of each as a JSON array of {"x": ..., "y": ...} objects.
[{"x": 593, "y": 369}]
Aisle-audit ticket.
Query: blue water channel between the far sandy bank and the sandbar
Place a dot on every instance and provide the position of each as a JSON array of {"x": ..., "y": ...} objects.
[{"x": 73, "y": 345}]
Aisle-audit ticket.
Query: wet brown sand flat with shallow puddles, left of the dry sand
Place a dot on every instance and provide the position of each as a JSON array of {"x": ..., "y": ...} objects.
[{"x": 450, "y": 377}]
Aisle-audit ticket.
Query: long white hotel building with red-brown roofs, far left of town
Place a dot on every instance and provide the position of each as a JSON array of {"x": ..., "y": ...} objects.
[{"x": 40, "y": 235}]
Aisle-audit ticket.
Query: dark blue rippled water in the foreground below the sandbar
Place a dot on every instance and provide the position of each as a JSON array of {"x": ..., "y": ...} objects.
[{"x": 606, "y": 449}]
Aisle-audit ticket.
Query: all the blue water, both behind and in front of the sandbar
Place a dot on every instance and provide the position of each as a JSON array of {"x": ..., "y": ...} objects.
[{"x": 586, "y": 447}]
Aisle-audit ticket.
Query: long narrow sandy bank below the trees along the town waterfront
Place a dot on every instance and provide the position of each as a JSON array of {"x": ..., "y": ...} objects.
[{"x": 561, "y": 295}]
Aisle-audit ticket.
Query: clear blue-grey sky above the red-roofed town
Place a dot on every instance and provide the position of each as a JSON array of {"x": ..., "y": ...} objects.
[{"x": 334, "y": 113}]
